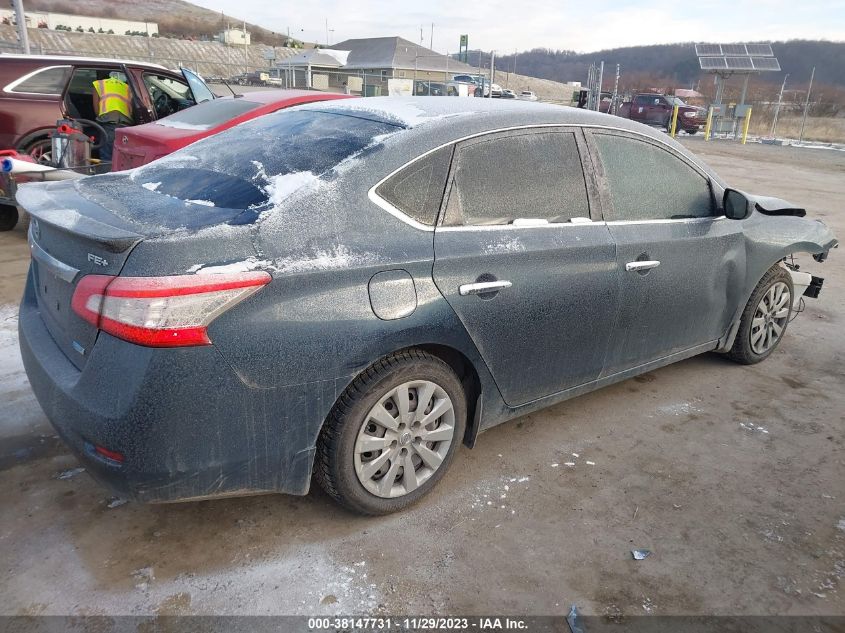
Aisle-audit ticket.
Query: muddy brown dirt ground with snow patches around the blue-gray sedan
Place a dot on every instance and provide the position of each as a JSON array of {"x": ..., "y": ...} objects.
[{"x": 733, "y": 476}]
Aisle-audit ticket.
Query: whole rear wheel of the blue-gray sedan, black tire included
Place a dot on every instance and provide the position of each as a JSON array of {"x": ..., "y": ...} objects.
[{"x": 345, "y": 467}]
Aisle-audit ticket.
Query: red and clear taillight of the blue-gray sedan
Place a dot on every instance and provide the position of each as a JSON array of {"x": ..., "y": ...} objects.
[{"x": 162, "y": 311}]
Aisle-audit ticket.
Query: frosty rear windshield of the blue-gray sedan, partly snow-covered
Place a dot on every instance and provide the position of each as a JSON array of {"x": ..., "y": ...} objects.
[{"x": 261, "y": 161}]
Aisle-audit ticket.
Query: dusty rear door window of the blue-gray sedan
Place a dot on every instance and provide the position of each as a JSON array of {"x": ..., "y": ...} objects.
[{"x": 536, "y": 176}]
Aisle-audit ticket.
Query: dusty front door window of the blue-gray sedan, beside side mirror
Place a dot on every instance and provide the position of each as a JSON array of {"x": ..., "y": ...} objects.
[{"x": 649, "y": 183}]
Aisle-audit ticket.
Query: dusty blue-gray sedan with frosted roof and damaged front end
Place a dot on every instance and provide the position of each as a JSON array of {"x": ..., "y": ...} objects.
[{"x": 351, "y": 290}]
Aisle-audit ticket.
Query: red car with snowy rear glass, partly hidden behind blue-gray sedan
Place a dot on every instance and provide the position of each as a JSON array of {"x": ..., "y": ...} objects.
[{"x": 141, "y": 144}]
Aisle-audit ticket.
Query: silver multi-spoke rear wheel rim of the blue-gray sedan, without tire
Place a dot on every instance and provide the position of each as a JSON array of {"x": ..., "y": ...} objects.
[{"x": 404, "y": 438}]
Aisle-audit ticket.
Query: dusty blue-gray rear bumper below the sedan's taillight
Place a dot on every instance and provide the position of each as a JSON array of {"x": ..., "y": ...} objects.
[{"x": 186, "y": 425}]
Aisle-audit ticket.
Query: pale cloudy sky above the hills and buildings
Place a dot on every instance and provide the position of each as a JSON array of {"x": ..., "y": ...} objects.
[{"x": 583, "y": 26}]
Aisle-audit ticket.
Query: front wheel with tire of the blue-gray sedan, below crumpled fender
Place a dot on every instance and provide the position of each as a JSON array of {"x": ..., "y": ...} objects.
[{"x": 758, "y": 334}]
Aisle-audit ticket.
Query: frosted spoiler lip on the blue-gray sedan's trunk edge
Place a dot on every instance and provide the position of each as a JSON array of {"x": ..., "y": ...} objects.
[{"x": 60, "y": 205}]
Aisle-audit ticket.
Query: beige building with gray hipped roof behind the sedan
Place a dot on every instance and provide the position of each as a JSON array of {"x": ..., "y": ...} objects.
[{"x": 371, "y": 66}]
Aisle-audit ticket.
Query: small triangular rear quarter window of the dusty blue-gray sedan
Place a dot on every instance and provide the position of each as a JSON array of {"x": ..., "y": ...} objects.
[{"x": 417, "y": 190}]
